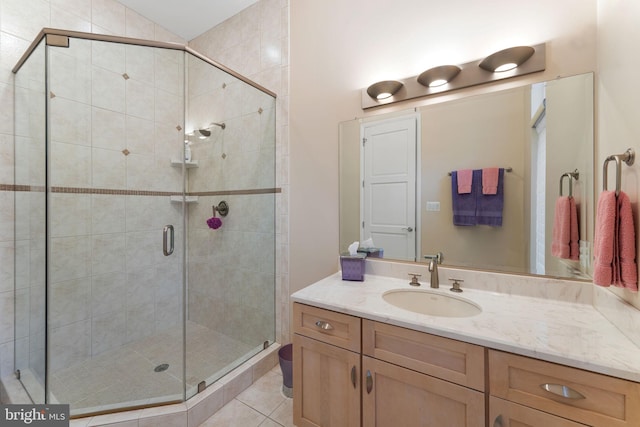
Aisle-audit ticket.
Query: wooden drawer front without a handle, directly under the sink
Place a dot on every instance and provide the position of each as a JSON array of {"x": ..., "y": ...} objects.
[{"x": 451, "y": 360}]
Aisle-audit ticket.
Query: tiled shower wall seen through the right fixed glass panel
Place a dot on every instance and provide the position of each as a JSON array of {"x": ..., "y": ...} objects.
[{"x": 231, "y": 269}]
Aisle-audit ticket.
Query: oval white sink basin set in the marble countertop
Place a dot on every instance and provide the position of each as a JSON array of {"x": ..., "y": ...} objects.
[{"x": 431, "y": 303}]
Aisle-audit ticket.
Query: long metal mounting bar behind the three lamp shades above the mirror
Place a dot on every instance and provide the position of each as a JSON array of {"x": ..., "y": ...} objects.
[{"x": 470, "y": 74}]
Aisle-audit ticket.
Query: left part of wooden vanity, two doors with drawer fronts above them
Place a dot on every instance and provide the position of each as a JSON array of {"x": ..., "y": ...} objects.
[{"x": 396, "y": 377}]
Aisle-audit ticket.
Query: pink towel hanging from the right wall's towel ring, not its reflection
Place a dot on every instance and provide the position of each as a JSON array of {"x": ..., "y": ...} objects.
[{"x": 615, "y": 243}]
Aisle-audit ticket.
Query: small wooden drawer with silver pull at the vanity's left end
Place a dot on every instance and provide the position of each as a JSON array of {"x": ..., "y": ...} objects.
[{"x": 328, "y": 326}]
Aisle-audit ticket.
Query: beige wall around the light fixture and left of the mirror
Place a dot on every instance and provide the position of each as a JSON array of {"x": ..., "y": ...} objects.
[{"x": 338, "y": 47}]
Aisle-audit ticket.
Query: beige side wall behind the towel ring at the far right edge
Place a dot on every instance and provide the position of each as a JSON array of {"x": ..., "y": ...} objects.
[{"x": 617, "y": 93}]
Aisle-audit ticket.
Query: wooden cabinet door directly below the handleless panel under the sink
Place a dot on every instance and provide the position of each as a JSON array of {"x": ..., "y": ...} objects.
[{"x": 395, "y": 396}]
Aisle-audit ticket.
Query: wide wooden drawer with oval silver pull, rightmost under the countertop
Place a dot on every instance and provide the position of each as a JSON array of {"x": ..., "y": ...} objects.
[{"x": 600, "y": 400}]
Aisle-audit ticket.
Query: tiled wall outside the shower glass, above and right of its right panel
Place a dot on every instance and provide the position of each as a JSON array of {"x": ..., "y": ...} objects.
[{"x": 255, "y": 43}]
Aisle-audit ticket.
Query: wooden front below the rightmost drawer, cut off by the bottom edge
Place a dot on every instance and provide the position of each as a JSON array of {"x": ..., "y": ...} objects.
[{"x": 503, "y": 413}]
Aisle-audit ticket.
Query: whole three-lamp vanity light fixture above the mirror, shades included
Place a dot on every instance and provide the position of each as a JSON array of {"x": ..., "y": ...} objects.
[{"x": 445, "y": 78}]
